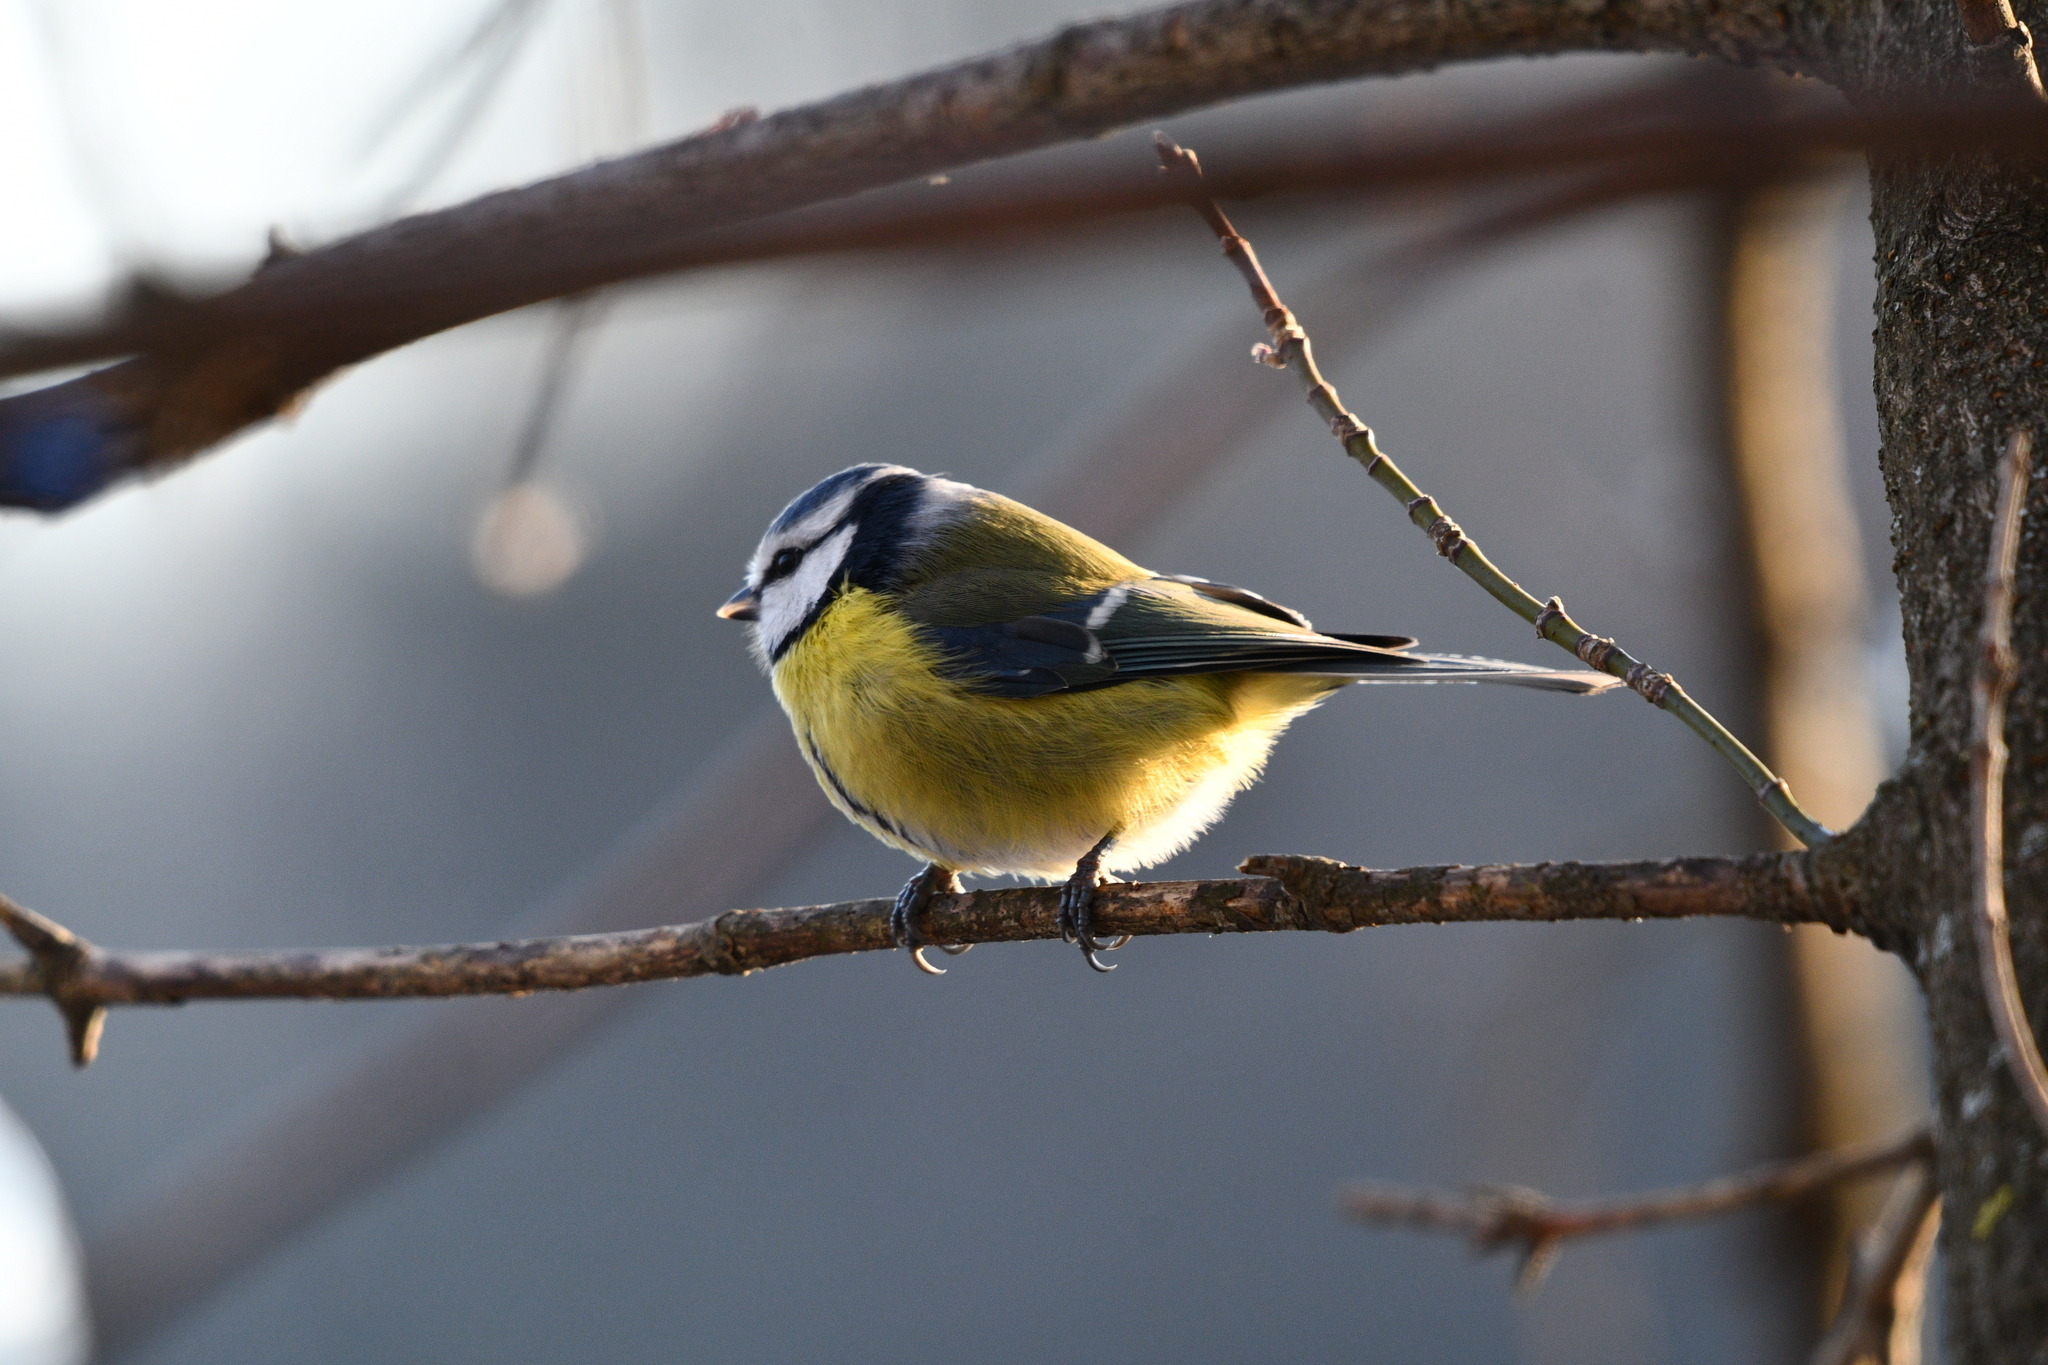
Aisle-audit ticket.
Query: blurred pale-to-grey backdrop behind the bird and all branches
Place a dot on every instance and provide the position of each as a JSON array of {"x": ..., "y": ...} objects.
[{"x": 437, "y": 662}]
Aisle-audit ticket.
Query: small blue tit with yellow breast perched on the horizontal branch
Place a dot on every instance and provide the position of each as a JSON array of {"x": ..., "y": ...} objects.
[{"x": 994, "y": 693}]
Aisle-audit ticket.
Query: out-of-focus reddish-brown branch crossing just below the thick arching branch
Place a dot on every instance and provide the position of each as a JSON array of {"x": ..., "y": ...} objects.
[{"x": 1670, "y": 134}]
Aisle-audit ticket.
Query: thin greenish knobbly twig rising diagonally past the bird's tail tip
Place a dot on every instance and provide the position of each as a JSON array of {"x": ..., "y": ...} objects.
[{"x": 1291, "y": 351}]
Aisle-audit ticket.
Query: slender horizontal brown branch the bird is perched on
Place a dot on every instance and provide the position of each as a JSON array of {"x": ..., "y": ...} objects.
[{"x": 1285, "y": 893}]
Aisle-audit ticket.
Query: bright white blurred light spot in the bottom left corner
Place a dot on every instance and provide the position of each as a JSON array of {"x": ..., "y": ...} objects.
[{"x": 42, "y": 1307}]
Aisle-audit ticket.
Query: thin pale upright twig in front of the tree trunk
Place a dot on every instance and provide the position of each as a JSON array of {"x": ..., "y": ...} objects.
[{"x": 1994, "y": 685}]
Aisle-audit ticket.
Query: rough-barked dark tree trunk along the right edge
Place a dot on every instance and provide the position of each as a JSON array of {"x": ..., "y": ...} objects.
[{"x": 1963, "y": 359}]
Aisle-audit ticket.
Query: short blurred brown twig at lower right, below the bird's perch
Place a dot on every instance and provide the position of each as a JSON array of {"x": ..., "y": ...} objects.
[{"x": 1498, "y": 1217}]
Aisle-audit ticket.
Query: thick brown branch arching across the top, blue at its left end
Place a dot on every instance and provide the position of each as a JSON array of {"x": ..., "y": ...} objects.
[{"x": 638, "y": 214}]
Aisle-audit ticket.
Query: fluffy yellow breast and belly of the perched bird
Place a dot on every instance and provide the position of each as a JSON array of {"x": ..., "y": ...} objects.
[{"x": 1021, "y": 785}]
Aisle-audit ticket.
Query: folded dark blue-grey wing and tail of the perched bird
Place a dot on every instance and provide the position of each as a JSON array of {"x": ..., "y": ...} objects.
[{"x": 1172, "y": 627}]
